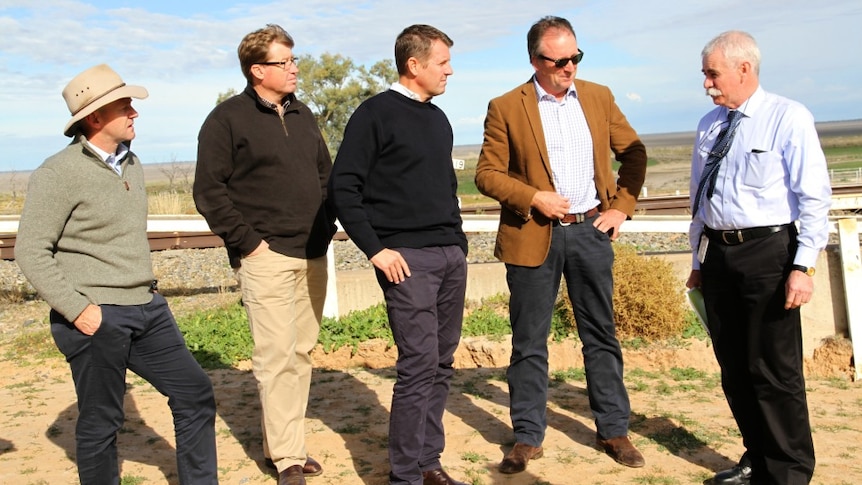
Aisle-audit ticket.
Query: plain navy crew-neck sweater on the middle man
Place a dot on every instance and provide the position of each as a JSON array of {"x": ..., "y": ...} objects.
[{"x": 392, "y": 183}]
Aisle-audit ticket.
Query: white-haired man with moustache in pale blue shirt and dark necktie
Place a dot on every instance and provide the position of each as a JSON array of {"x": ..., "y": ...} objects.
[{"x": 757, "y": 170}]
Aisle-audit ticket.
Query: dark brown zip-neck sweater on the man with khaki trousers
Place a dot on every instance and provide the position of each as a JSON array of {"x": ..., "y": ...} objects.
[{"x": 261, "y": 177}]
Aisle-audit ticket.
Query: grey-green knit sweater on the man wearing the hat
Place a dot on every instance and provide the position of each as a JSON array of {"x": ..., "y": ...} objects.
[{"x": 82, "y": 237}]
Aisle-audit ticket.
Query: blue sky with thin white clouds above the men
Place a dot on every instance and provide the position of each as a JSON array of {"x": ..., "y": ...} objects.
[{"x": 184, "y": 53}]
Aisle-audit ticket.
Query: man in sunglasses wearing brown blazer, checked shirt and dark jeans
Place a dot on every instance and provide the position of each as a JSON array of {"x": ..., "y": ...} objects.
[{"x": 546, "y": 158}]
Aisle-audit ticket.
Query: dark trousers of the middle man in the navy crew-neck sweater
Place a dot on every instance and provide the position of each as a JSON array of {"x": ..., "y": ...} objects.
[{"x": 425, "y": 313}]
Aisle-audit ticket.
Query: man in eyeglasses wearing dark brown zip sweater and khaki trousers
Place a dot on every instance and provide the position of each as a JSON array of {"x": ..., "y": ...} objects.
[{"x": 260, "y": 183}]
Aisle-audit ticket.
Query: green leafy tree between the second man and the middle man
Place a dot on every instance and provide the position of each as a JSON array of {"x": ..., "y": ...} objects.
[{"x": 333, "y": 86}]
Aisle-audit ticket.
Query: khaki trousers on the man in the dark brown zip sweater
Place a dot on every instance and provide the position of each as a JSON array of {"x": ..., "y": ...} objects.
[{"x": 284, "y": 298}]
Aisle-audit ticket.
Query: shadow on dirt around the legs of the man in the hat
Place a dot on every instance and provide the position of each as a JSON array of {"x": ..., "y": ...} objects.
[{"x": 136, "y": 441}]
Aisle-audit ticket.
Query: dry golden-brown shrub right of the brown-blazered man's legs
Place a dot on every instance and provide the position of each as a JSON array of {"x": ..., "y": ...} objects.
[{"x": 649, "y": 300}]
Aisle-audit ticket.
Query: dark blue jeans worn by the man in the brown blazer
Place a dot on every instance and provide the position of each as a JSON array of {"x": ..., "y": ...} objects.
[{"x": 585, "y": 257}]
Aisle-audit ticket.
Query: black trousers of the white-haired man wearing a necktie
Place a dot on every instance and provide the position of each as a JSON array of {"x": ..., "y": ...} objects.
[{"x": 758, "y": 345}]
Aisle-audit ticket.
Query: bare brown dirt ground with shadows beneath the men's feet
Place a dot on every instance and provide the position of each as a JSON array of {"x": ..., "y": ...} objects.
[{"x": 680, "y": 420}]
